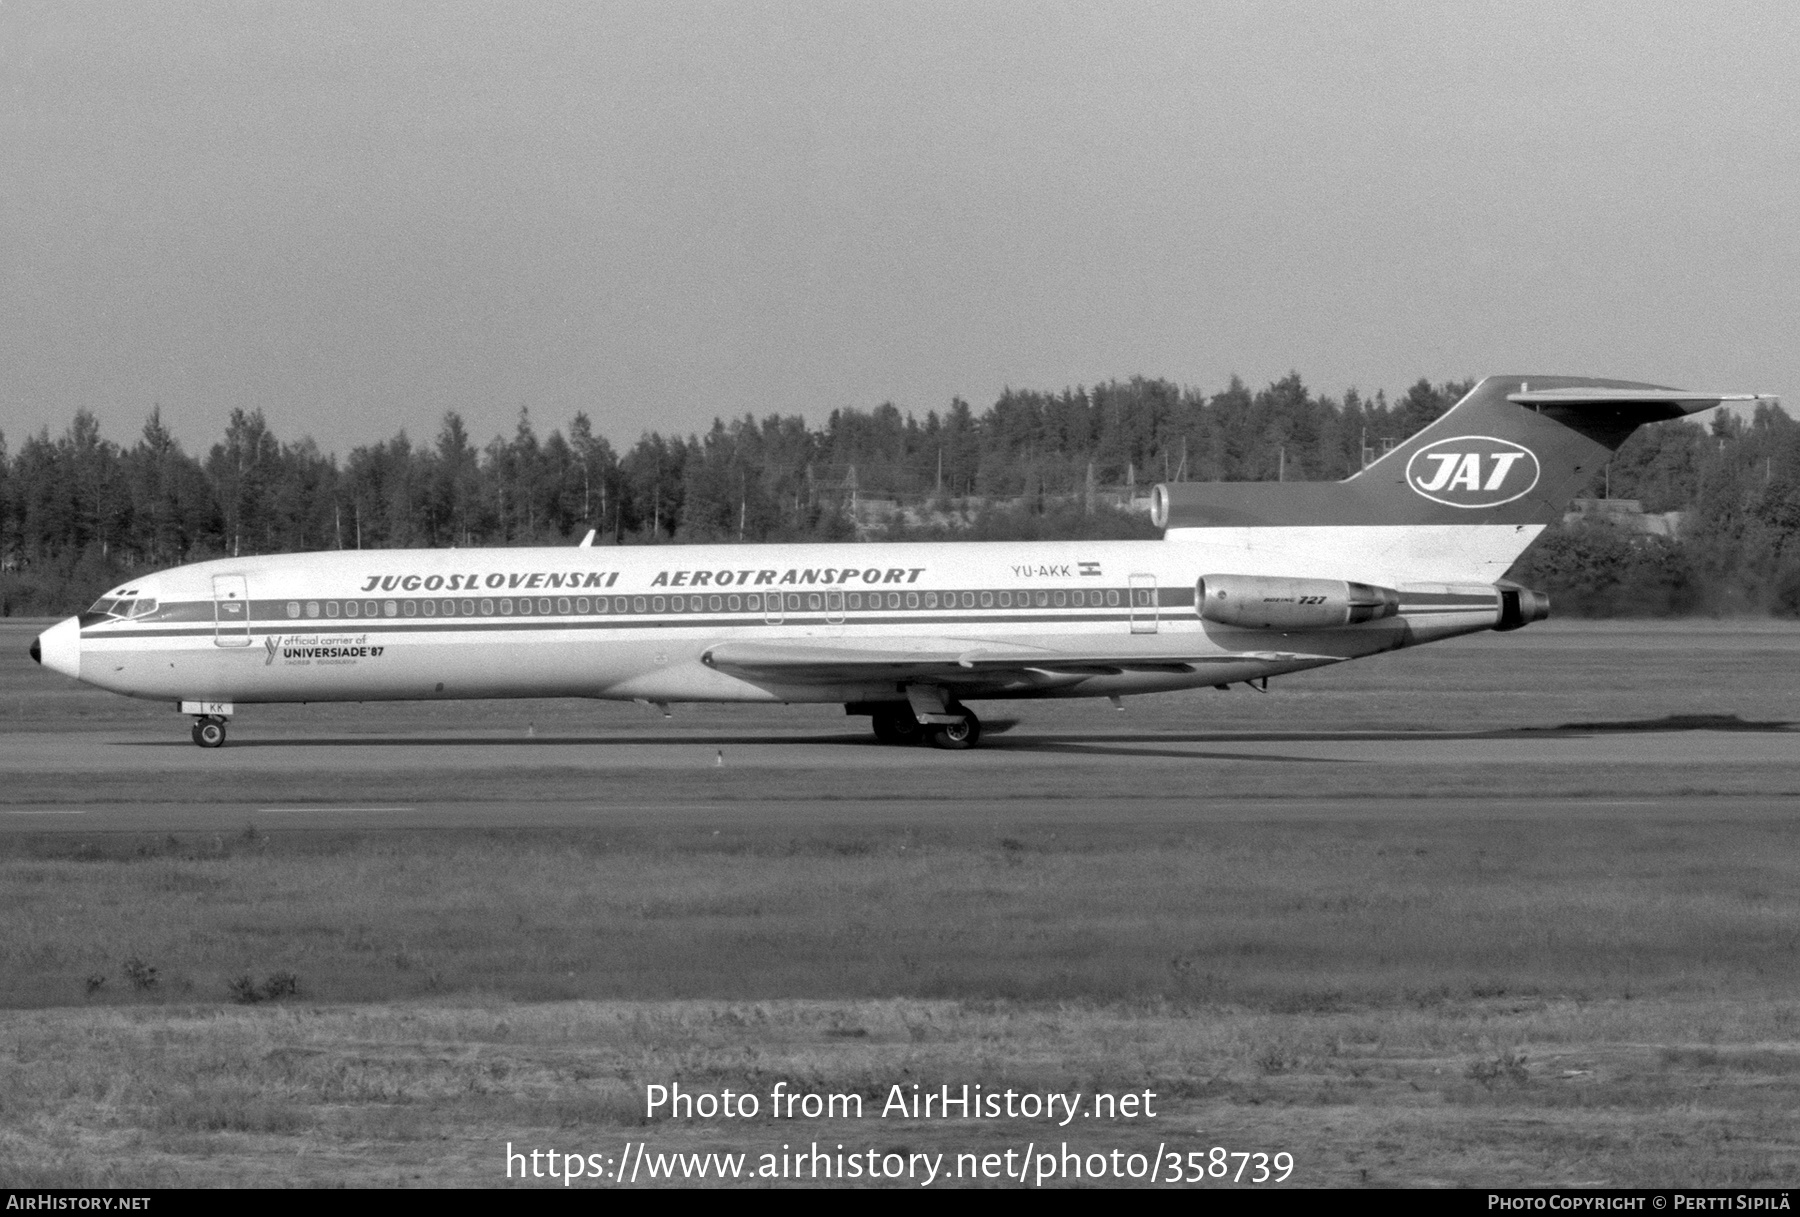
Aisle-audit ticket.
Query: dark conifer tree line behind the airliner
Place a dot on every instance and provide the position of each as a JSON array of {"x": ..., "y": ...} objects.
[{"x": 80, "y": 512}]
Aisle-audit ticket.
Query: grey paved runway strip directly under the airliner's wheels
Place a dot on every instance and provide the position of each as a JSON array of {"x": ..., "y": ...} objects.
[{"x": 111, "y": 780}]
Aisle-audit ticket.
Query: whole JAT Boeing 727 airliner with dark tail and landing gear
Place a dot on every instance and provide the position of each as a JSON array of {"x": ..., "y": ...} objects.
[{"x": 1252, "y": 581}]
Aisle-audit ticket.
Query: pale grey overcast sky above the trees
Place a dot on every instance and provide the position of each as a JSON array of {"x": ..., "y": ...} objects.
[{"x": 357, "y": 217}]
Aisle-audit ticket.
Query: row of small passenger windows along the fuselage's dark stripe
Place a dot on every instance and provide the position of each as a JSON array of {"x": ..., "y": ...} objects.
[{"x": 753, "y": 602}]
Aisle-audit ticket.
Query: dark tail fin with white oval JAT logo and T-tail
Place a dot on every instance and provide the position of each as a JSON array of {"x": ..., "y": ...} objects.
[{"x": 1511, "y": 453}]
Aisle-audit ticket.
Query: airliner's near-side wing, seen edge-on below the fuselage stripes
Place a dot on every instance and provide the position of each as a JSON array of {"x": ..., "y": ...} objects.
[{"x": 949, "y": 660}]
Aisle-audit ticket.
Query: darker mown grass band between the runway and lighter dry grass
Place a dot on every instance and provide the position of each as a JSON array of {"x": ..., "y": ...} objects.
[{"x": 1300, "y": 915}]
